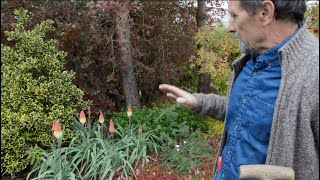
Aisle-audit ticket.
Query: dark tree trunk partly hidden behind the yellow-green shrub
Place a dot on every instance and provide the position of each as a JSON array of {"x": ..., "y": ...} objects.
[{"x": 204, "y": 78}]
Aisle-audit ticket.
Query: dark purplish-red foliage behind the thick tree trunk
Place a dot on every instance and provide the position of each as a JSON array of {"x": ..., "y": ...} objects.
[{"x": 161, "y": 44}]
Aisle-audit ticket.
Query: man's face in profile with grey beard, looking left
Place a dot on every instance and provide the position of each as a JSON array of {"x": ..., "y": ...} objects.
[{"x": 247, "y": 28}]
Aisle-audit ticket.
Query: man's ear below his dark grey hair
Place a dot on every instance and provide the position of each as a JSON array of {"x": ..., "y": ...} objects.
[{"x": 266, "y": 14}]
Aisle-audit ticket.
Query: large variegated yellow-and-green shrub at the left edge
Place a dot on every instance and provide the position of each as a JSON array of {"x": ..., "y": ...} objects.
[{"x": 35, "y": 89}]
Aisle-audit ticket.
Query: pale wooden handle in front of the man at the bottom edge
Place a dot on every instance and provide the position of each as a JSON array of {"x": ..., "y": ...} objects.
[{"x": 266, "y": 172}]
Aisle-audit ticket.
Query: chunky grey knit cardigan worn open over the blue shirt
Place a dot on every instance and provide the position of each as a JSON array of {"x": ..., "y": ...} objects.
[{"x": 294, "y": 137}]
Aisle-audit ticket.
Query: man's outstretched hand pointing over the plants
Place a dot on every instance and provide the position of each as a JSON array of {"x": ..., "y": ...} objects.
[{"x": 182, "y": 97}]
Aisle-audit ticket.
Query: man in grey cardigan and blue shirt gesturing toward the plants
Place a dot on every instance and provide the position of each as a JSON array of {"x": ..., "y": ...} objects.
[{"x": 271, "y": 111}]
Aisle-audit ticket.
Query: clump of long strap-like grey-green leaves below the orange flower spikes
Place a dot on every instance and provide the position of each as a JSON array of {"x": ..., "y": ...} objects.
[{"x": 94, "y": 153}]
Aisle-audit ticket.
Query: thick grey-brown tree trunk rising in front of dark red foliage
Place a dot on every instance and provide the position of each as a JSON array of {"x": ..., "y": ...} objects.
[{"x": 129, "y": 84}]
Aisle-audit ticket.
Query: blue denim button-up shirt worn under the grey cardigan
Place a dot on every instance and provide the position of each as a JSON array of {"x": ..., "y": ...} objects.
[{"x": 250, "y": 111}]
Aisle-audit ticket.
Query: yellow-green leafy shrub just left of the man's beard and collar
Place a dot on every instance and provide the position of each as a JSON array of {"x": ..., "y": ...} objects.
[{"x": 218, "y": 50}]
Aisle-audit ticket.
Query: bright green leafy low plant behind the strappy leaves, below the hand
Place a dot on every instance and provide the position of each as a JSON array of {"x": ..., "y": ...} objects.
[{"x": 174, "y": 120}]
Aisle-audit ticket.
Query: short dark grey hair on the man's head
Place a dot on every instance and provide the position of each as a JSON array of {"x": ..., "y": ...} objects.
[{"x": 292, "y": 10}]
